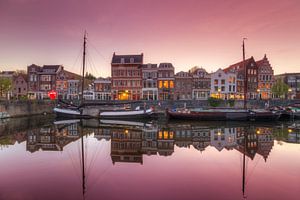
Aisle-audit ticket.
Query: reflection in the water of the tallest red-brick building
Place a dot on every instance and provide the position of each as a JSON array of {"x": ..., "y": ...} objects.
[{"x": 126, "y": 145}]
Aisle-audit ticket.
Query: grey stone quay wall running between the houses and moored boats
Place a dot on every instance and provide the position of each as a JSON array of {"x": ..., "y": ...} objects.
[{"x": 10, "y": 109}]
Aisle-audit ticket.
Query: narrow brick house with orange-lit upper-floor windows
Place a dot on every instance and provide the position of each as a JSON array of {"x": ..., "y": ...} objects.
[{"x": 166, "y": 81}]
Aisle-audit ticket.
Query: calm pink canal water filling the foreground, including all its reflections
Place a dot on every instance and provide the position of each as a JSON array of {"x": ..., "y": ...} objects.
[{"x": 41, "y": 158}]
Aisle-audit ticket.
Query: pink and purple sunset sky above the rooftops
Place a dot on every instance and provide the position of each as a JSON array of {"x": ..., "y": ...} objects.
[{"x": 186, "y": 32}]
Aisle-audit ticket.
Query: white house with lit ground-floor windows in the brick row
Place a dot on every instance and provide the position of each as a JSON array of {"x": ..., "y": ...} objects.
[{"x": 223, "y": 85}]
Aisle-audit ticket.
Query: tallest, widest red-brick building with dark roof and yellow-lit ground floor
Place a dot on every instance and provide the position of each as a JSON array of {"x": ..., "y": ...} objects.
[{"x": 126, "y": 71}]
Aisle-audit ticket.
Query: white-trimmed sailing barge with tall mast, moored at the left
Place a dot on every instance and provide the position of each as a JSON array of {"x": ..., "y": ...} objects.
[{"x": 66, "y": 110}]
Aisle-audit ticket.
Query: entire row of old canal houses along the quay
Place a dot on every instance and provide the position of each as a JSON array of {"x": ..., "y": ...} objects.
[{"x": 131, "y": 79}]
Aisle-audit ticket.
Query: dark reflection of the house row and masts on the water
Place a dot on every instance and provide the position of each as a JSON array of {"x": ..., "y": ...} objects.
[{"x": 132, "y": 142}]
